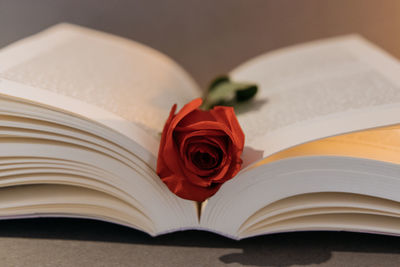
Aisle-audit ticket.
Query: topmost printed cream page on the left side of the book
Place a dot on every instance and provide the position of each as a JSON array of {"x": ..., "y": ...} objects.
[{"x": 122, "y": 77}]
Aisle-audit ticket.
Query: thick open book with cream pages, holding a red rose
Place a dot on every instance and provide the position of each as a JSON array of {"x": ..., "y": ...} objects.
[{"x": 81, "y": 112}]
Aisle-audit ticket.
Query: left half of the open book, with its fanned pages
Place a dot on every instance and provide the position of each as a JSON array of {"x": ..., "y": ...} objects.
[{"x": 80, "y": 114}]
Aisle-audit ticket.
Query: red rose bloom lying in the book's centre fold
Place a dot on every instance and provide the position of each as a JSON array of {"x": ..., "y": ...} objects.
[{"x": 199, "y": 150}]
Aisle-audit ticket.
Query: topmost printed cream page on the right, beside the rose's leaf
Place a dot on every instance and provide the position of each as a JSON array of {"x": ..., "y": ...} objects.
[{"x": 319, "y": 89}]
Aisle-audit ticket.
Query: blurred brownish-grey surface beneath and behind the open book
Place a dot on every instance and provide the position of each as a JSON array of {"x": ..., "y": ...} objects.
[{"x": 207, "y": 38}]
